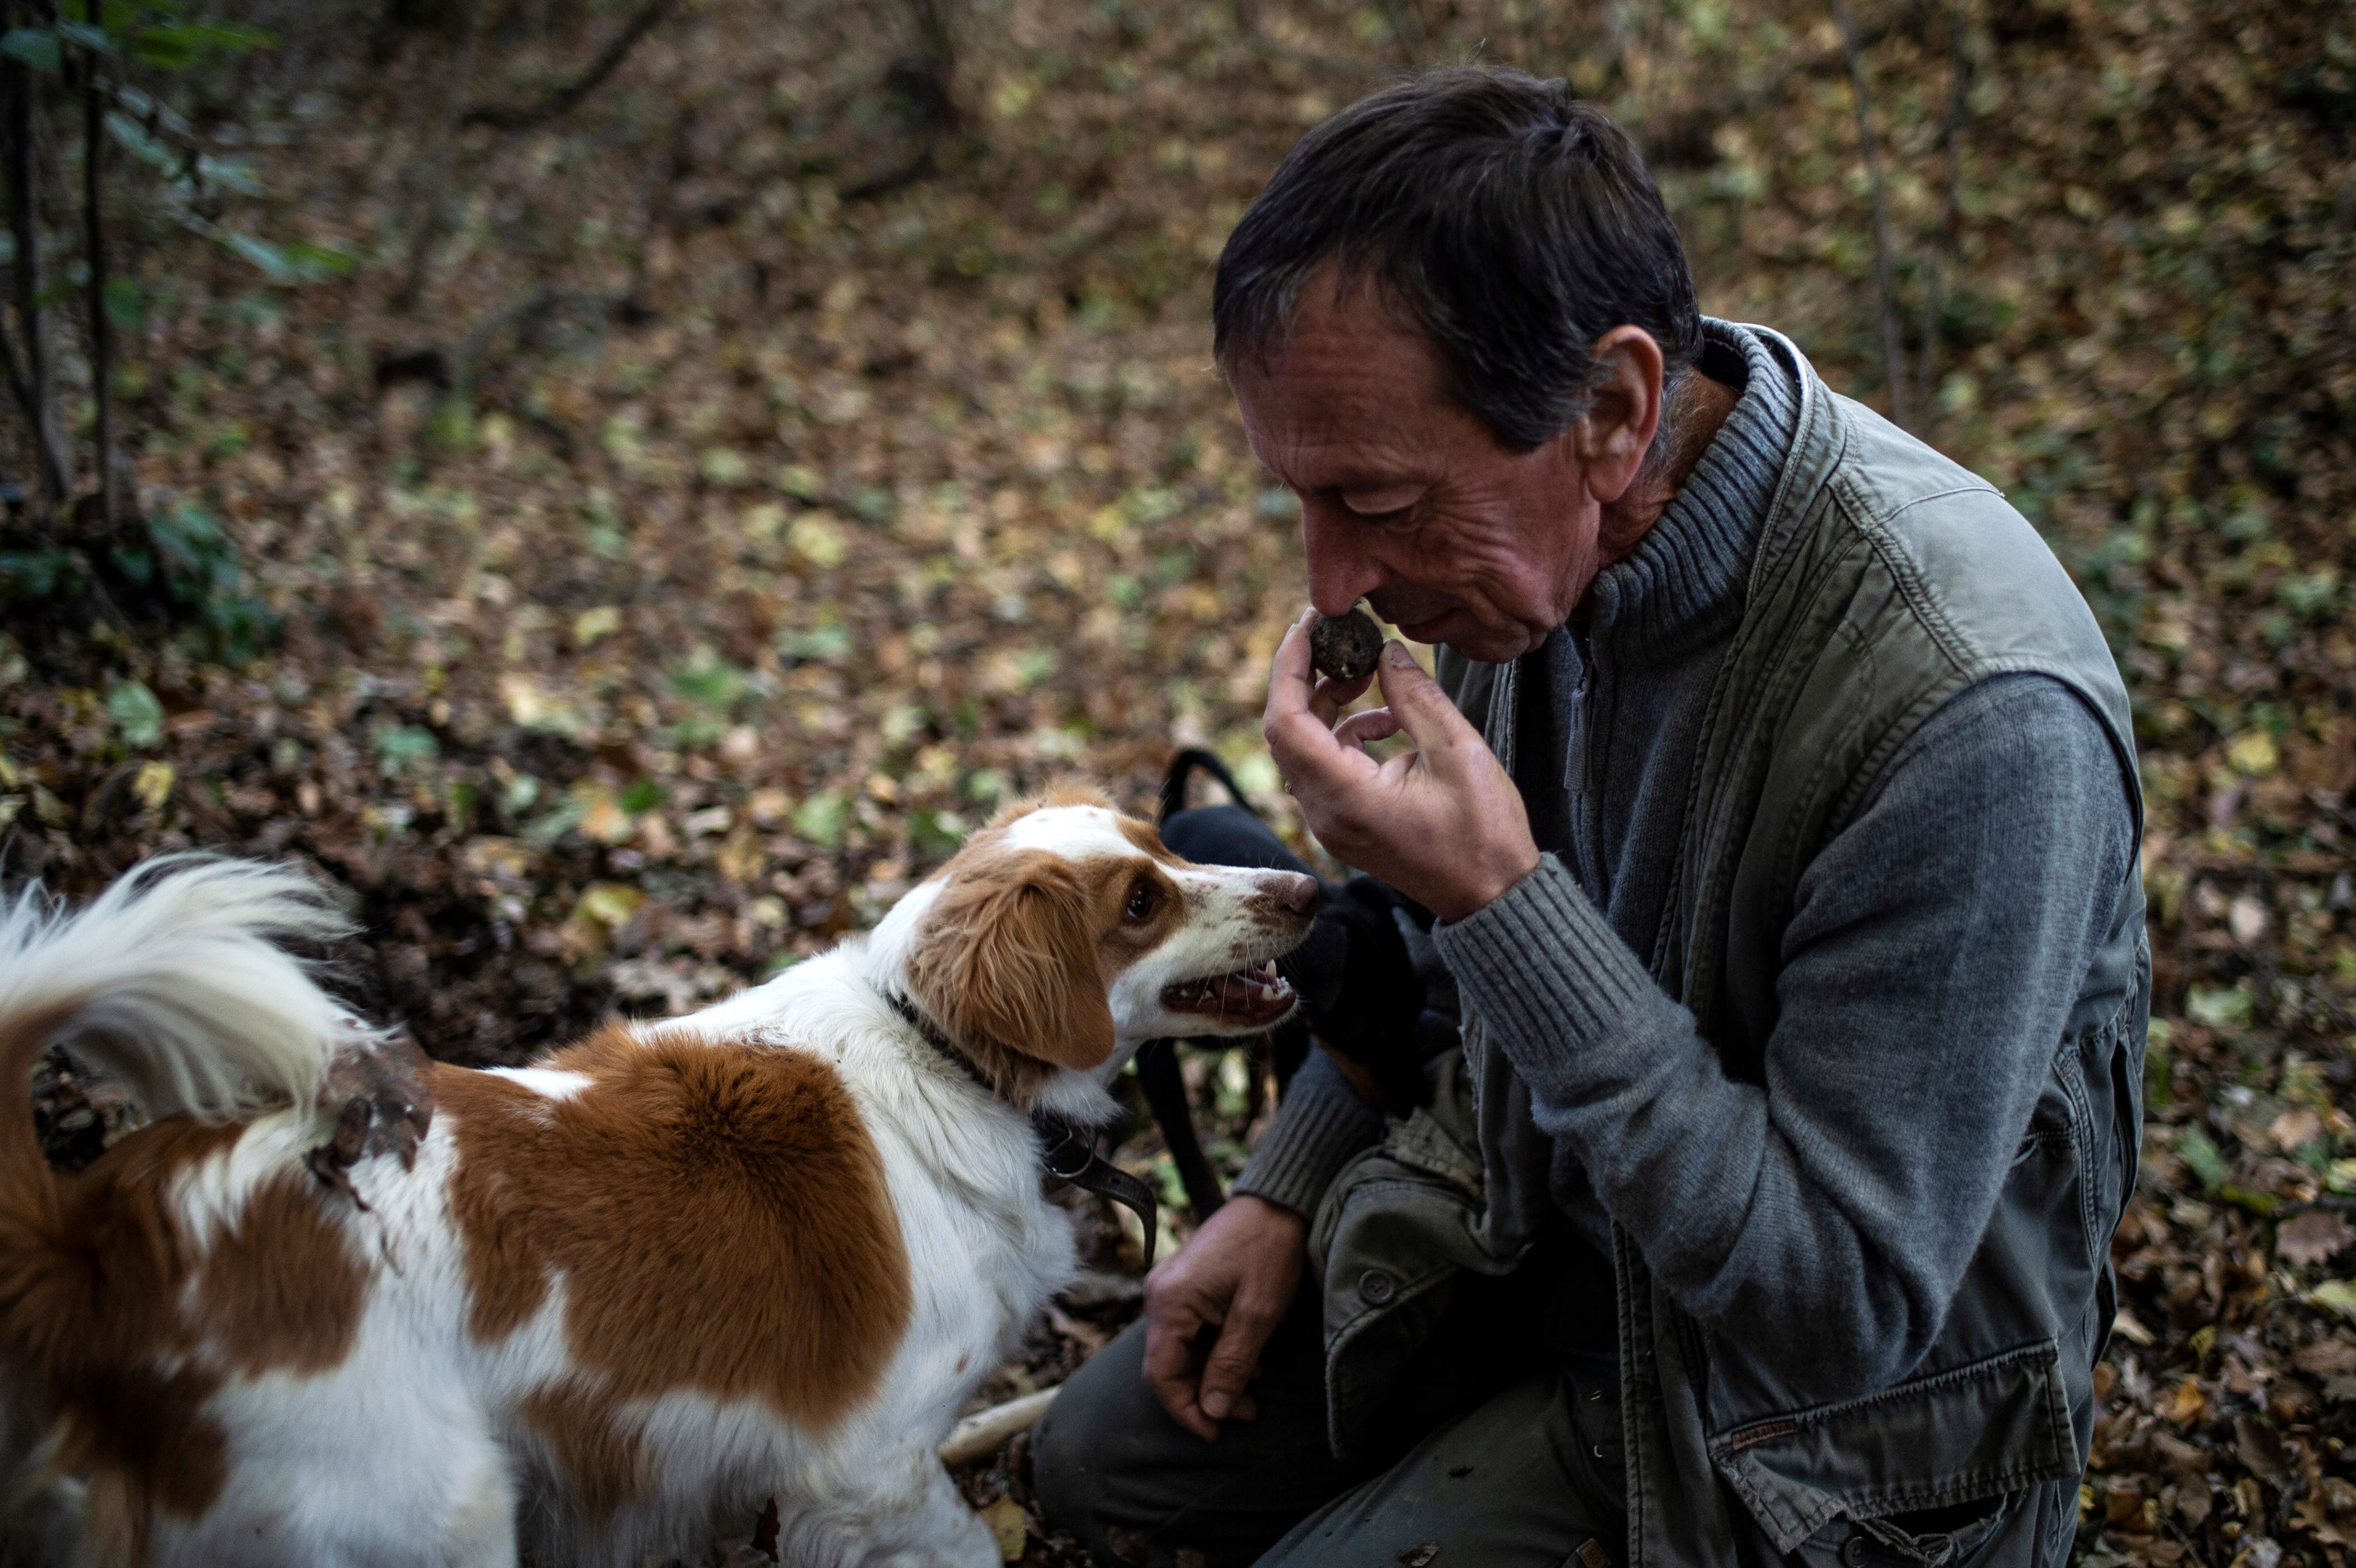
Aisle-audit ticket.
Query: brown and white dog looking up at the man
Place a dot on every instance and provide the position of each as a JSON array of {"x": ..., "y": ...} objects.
[{"x": 343, "y": 1305}]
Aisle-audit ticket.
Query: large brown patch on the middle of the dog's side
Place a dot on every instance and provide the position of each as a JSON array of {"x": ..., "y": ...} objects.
[{"x": 717, "y": 1214}]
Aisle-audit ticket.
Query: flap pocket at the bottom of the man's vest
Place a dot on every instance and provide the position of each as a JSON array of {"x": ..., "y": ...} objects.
[{"x": 1980, "y": 1430}]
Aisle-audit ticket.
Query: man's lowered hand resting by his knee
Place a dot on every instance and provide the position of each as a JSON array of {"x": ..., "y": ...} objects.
[{"x": 1238, "y": 1273}]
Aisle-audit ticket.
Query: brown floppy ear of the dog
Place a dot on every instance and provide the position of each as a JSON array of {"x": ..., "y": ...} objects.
[{"x": 1007, "y": 962}]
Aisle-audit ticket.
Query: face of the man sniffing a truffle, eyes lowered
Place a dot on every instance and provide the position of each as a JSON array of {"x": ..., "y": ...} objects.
[{"x": 1405, "y": 496}]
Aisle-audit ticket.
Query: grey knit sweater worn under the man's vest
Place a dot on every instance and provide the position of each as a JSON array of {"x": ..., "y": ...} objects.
[{"x": 1931, "y": 962}]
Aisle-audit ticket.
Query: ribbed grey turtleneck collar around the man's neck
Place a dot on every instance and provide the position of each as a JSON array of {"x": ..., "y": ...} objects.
[{"x": 1686, "y": 576}]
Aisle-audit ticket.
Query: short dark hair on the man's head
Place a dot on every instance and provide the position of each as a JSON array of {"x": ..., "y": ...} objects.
[{"x": 1507, "y": 218}]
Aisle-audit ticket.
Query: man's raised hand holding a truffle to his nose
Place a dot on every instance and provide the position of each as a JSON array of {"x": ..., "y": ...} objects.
[{"x": 1441, "y": 823}]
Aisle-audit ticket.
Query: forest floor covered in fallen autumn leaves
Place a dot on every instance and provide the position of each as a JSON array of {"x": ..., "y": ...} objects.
[{"x": 748, "y": 507}]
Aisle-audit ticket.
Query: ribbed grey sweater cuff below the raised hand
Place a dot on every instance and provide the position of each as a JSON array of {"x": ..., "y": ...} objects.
[{"x": 1547, "y": 971}]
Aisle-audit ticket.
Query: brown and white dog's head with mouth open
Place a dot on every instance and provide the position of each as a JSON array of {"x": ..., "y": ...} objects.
[{"x": 1066, "y": 936}]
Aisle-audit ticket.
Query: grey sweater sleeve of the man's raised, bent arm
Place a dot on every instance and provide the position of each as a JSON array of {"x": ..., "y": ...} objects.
[{"x": 1935, "y": 950}]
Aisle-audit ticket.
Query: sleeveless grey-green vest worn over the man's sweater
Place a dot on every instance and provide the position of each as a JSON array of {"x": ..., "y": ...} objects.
[{"x": 1886, "y": 583}]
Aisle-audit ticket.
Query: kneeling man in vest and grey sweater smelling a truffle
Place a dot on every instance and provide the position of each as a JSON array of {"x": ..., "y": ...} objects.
[{"x": 1778, "y": 811}]
